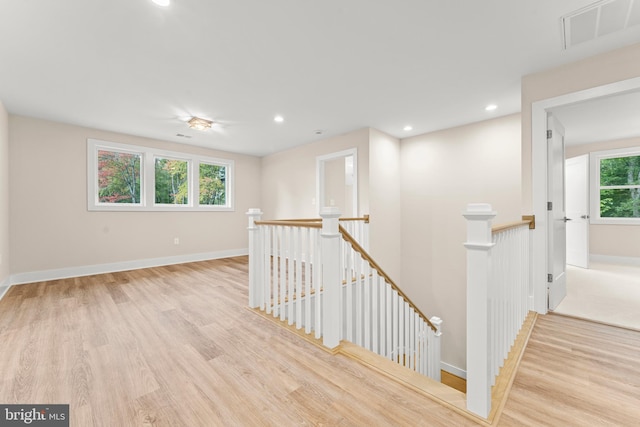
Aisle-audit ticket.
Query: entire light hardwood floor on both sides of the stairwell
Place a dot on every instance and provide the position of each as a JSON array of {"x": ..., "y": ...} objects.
[{"x": 176, "y": 346}]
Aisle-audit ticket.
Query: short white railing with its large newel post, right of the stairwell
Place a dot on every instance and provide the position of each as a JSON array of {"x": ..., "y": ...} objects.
[{"x": 498, "y": 298}]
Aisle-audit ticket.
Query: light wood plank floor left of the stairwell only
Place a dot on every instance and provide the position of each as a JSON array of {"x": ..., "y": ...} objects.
[{"x": 176, "y": 346}]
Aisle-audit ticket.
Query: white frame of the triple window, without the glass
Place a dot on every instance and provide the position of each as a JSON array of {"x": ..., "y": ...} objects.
[{"x": 147, "y": 178}]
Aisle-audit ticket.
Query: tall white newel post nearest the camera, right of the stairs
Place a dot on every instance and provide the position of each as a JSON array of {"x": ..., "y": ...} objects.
[{"x": 479, "y": 244}]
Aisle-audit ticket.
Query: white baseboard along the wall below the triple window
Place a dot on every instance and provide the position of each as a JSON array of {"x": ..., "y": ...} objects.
[{"x": 64, "y": 273}]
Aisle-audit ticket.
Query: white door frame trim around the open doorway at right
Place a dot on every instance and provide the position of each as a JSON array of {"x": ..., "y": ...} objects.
[{"x": 539, "y": 168}]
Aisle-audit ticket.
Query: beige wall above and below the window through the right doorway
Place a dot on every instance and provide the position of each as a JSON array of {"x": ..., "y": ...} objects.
[{"x": 604, "y": 239}]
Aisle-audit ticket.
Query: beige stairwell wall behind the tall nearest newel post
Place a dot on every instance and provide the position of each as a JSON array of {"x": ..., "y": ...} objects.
[{"x": 441, "y": 173}]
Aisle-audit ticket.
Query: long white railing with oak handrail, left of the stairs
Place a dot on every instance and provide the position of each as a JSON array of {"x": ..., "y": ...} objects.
[{"x": 318, "y": 275}]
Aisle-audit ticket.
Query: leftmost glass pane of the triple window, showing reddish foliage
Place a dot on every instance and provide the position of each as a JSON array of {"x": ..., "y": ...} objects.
[{"x": 118, "y": 177}]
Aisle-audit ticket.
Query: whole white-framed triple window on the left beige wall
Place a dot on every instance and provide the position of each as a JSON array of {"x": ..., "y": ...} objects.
[{"x": 123, "y": 177}]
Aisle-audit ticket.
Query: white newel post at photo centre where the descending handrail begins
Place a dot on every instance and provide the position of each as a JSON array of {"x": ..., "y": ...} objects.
[{"x": 331, "y": 281}]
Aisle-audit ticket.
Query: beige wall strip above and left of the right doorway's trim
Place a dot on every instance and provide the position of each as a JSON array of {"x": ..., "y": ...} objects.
[{"x": 610, "y": 67}]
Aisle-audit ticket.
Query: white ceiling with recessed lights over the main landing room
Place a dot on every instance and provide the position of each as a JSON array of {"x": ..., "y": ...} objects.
[{"x": 130, "y": 66}]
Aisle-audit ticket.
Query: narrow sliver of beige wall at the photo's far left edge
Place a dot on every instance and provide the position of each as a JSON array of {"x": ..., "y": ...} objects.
[{"x": 4, "y": 197}]
